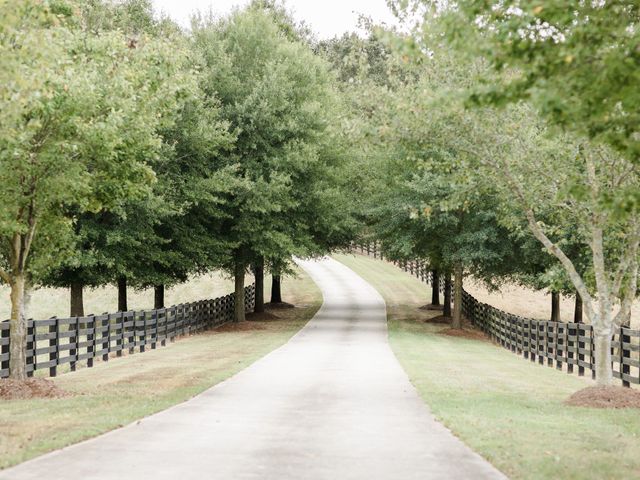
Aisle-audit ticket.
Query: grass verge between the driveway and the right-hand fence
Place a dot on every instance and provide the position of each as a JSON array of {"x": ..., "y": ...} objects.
[{"x": 509, "y": 410}]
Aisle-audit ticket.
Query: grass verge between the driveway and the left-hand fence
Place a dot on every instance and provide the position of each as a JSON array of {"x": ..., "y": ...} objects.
[{"x": 126, "y": 389}]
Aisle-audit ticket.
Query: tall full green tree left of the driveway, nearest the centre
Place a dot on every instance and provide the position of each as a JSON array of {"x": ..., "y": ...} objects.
[{"x": 277, "y": 97}]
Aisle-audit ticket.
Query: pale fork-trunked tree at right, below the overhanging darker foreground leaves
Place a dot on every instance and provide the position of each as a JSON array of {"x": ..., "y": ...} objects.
[{"x": 582, "y": 187}]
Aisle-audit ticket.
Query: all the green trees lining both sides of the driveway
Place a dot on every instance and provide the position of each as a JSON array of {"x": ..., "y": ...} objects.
[{"x": 498, "y": 140}]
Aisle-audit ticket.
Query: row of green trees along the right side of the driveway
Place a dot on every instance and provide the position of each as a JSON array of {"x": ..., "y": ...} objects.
[{"x": 501, "y": 140}]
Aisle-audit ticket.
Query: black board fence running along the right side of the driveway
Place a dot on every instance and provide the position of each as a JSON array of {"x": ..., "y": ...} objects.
[{"x": 562, "y": 344}]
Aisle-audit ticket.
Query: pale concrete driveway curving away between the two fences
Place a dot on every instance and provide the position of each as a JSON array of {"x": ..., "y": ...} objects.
[{"x": 332, "y": 404}]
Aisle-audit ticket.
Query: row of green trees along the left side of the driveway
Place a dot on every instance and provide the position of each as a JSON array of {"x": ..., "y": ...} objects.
[{"x": 136, "y": 154}]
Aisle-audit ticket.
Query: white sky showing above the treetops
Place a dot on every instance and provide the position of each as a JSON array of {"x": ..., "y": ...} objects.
[{"x": 326, "y": 17}]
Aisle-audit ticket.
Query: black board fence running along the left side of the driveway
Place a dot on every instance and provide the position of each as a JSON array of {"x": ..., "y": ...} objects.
[{"x": 60, "y": 341}]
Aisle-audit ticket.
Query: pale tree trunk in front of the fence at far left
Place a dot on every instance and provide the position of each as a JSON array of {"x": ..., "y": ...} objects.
[{"x": 18, "y": 331}]
